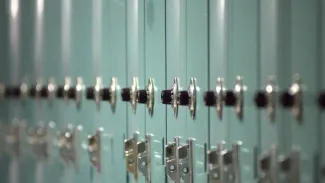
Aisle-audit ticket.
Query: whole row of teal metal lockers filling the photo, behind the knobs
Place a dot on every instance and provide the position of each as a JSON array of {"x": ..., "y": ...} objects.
[{"x": 163, "y": 39}]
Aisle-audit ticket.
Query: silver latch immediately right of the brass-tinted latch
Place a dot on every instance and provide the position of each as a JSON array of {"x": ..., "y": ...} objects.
[{"x": 144, "y": 157}]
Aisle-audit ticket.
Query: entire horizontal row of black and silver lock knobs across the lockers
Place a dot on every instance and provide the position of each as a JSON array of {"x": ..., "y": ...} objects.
[{"x": 292, "y": 98}]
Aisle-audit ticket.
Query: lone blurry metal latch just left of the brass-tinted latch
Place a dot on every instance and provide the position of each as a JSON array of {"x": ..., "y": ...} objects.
[{"x": 94, "y": 147}]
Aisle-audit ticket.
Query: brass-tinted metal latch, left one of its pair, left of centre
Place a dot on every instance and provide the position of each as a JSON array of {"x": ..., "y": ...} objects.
[{"x": 131, "y": 154}]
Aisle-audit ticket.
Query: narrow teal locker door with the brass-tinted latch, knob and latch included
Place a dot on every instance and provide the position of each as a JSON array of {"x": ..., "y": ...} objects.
[{"x": 136, "y": 81}]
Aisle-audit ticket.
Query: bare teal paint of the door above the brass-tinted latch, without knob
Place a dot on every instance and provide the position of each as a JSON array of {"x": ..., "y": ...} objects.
[{"x": 135, "y": 45}]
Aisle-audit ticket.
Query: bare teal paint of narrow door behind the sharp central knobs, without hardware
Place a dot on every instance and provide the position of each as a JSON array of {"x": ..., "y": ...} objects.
[{"x": 175, "y": 64}]
